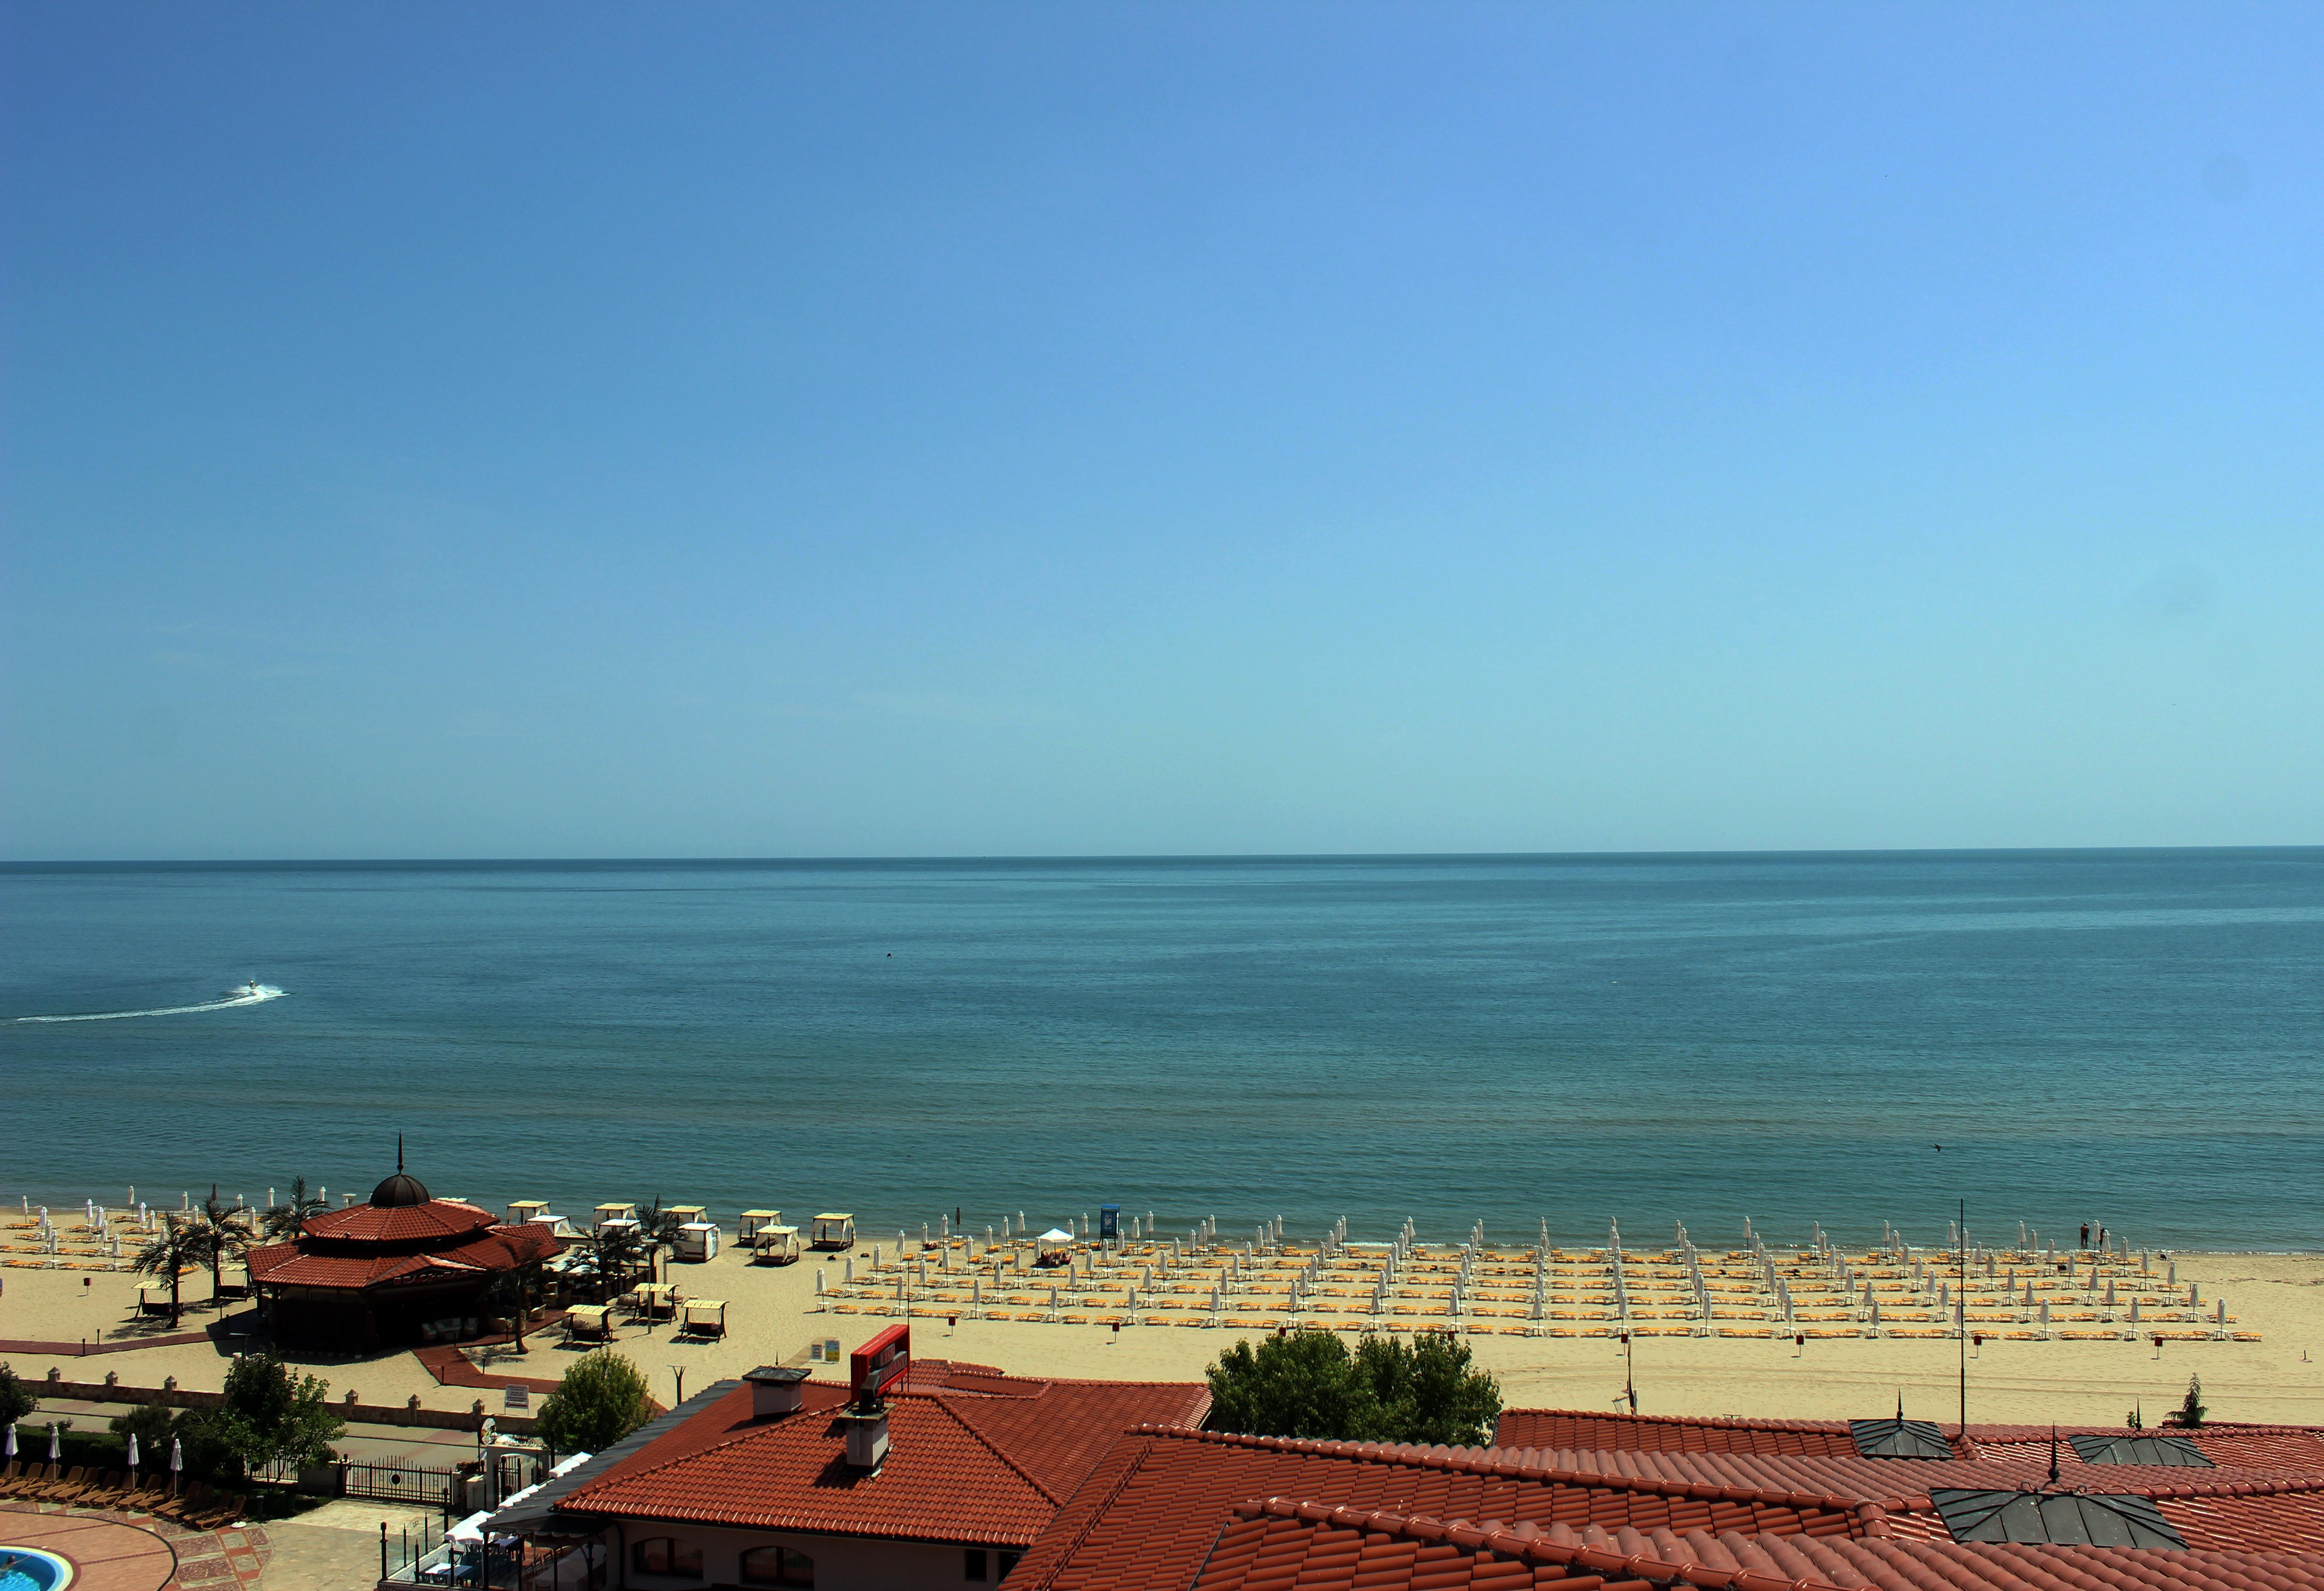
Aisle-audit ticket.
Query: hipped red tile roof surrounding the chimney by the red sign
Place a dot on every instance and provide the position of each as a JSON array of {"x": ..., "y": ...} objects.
[{"x": 963, "y": 1467}]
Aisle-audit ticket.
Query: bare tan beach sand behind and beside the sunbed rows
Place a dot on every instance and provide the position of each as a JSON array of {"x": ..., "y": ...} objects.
[{"x": 773, "y": 1316}]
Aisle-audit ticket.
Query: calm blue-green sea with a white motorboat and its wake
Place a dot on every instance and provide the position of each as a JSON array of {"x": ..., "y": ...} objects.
[{"x": 1849, "y": 1039}]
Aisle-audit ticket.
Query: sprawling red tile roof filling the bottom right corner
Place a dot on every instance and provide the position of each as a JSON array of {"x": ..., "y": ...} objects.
[{"x": 1695, "y": 1504}]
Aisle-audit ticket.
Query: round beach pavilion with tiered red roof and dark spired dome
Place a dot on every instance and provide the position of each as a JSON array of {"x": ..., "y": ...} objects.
[{"x": 399, "y": 1269}]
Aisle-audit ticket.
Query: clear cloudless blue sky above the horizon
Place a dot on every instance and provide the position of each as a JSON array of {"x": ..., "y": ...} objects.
[{"x": 1175, "y": 429}]
